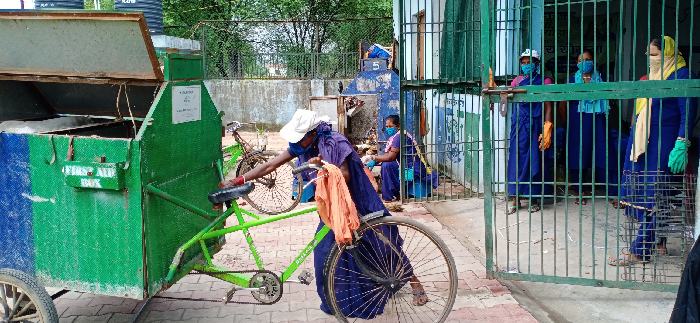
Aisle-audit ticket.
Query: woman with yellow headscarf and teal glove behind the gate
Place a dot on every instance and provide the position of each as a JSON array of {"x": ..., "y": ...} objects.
[{"x": 658, "y": 147}]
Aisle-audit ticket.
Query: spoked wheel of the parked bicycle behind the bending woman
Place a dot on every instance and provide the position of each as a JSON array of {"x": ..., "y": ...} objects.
[{"x": 273, "y": 194}]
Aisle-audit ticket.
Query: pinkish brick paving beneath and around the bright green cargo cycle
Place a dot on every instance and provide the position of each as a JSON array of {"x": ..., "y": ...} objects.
[{"x": 478, "y": 300}]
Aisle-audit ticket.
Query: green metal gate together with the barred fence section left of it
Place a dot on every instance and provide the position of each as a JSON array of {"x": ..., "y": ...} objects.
[{"x": 572, "y": 223}]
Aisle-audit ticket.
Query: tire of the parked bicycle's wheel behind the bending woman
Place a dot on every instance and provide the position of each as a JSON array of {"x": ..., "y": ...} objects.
[{"x": 253, "y": 160}]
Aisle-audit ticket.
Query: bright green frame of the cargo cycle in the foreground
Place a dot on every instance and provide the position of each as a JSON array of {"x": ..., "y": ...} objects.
[{"x": 177, "y": 271}]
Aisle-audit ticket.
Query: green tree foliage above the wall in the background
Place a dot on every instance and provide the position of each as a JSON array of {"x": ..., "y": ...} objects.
[{"x": 237, "y": 43}]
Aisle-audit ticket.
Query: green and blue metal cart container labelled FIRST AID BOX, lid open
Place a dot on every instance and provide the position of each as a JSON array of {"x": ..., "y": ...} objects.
[{"x": 73, "y": 209}]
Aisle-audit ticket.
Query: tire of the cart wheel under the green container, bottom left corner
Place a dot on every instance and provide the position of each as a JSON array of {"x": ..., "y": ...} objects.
[{"x": 37, "y": 294}]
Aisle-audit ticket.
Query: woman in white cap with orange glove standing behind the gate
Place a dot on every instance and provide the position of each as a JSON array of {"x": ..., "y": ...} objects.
[{"x": 530, "y": 134}]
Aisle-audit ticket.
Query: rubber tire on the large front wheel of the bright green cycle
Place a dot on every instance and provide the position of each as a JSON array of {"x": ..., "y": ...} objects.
[{"x": 332, "y": 260}]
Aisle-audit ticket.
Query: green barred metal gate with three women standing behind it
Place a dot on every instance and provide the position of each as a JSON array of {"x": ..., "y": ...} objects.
[{"x": 578, "y": 236}]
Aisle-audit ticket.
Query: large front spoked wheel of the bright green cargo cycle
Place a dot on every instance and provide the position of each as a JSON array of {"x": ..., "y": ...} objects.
[{"x": 407, "y": 258}]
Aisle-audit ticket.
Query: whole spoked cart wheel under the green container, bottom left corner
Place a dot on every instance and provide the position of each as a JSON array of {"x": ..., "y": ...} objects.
[{"x": 22, "y": 299}]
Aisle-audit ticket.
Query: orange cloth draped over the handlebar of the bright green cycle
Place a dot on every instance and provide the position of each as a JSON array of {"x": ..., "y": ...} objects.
[{"x": 335, "y": 206}]
